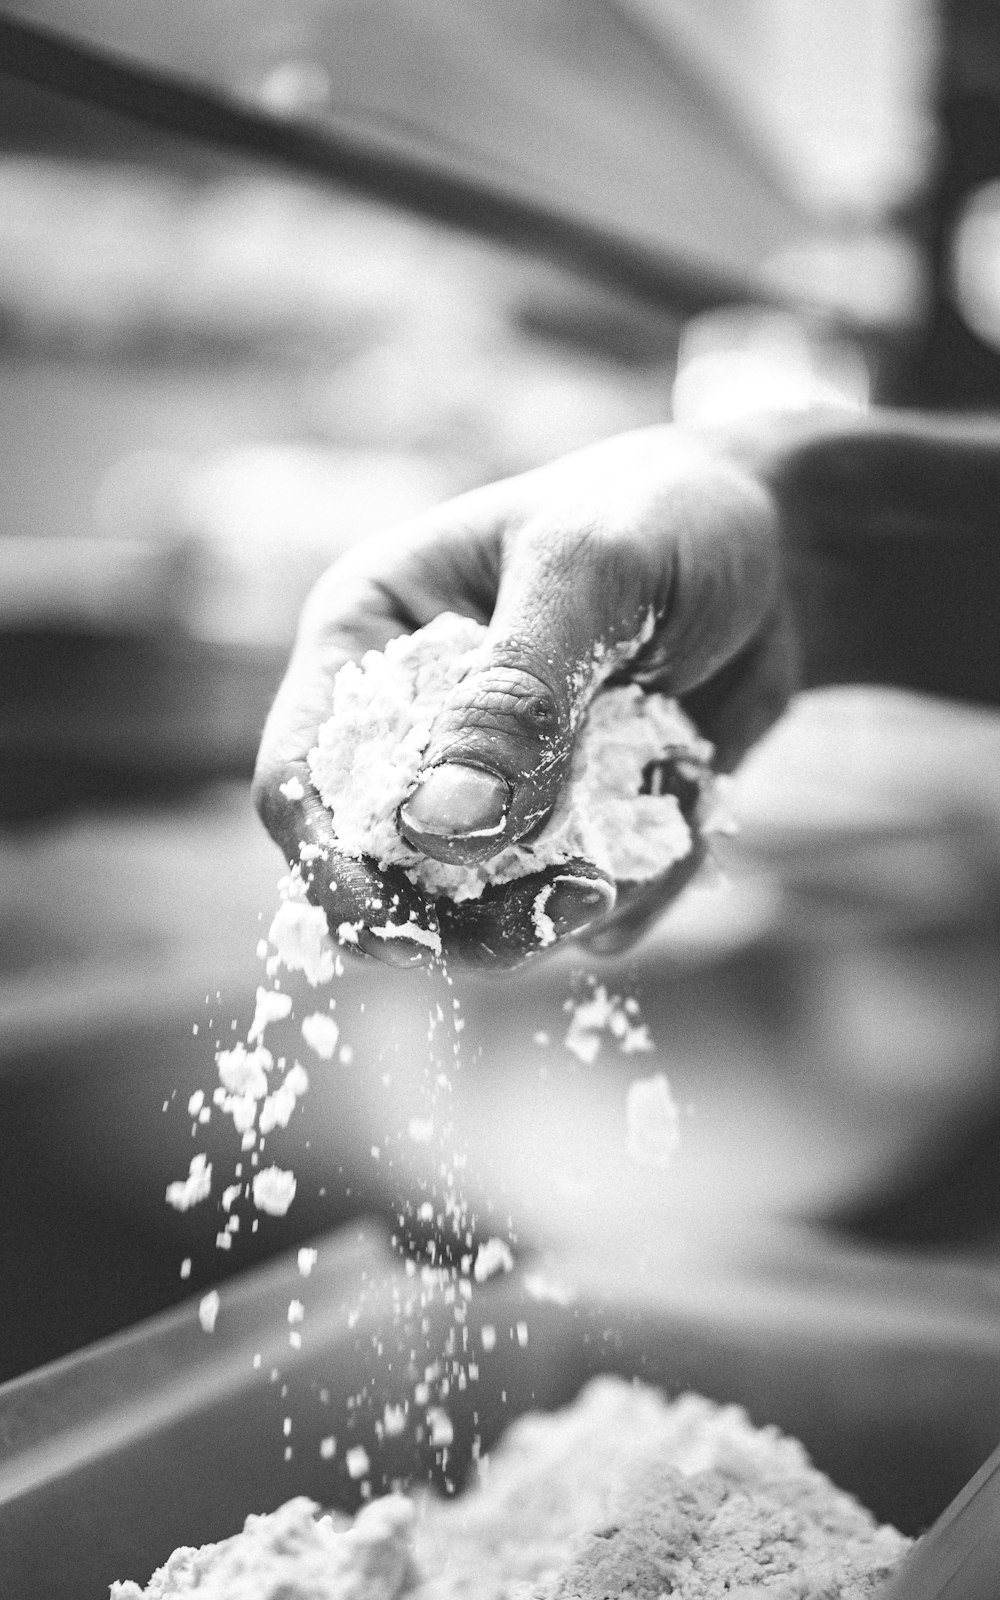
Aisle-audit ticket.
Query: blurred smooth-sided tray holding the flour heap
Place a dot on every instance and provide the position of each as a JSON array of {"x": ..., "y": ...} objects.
[{"x": 887, "y": 1369}]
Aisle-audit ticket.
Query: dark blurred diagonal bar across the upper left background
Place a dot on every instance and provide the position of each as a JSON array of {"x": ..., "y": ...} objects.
[{"x": 377, "y": 164}]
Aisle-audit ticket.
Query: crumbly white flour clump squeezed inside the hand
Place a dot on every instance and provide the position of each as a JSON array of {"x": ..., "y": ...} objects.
[{"x": 369, "y": 759}]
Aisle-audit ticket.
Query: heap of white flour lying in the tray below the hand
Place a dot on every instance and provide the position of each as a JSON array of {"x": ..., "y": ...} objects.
[{"x": 623, "y": 1497}]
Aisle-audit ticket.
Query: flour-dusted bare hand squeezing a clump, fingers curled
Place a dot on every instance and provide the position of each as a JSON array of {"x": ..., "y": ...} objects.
[{"x": 647, "y": 559}]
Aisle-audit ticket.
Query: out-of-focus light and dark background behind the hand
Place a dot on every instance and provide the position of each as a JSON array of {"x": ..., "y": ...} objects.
[{"x": 218, "y": 374}]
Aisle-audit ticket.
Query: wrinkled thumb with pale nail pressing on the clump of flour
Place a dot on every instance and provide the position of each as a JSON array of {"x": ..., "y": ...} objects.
[{"x": 500, "y": 751}]
